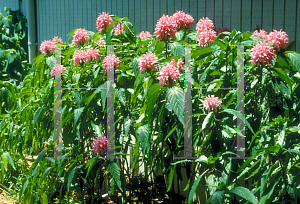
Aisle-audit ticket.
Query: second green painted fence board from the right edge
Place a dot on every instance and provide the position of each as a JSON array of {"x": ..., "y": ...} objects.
[{"x": 278, "y": 14}]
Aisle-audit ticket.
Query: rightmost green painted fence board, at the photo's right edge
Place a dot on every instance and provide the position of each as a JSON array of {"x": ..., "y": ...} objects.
[{"x": 290, "y": 19}]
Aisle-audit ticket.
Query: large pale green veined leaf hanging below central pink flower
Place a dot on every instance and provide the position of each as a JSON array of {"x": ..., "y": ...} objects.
[{"x": 175, "y": 96}]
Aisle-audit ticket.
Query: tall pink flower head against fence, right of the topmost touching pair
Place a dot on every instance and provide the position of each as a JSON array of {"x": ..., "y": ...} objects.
[{"x": 205, "y": 31}]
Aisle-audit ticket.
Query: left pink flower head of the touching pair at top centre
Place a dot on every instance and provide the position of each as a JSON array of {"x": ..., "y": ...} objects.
[{"x": 166, "y": 27}]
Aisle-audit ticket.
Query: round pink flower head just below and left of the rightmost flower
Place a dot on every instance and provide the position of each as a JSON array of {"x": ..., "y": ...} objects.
[{"x": 262, "y": 53}]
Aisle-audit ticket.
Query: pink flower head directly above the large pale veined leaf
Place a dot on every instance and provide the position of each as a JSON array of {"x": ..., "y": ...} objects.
[{"x": 168, "y": 73}]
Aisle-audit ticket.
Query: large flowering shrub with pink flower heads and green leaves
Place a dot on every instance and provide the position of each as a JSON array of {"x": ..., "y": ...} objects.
[{"x": 150, "y": 106}]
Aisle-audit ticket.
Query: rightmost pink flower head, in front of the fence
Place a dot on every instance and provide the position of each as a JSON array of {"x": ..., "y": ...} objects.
[{"x": 279, "y": 39}]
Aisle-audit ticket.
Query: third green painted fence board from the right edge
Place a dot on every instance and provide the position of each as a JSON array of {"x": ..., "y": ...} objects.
[{"x": 267, "y": 23}]
